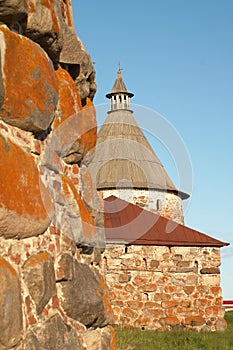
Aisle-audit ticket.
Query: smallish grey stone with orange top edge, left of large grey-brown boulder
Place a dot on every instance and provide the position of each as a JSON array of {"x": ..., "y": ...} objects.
[{"x": 39, "y": 277}]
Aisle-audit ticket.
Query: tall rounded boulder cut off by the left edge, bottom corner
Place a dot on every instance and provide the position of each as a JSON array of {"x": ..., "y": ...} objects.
[{"x": 11, "y": 321}]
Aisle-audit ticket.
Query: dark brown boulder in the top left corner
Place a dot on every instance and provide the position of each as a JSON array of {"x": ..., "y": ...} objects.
[{"x": 12, "y": 10}]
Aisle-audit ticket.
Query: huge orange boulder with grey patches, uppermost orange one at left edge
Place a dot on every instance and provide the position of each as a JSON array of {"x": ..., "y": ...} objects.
[{"x": 30, "y": 92}]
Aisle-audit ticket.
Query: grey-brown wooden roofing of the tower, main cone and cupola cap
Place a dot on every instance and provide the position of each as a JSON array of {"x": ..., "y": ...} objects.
[{"x": 123, "y": 157}]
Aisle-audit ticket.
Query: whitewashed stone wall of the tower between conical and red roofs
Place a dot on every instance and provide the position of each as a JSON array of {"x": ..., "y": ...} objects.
[{"x": 166, "y": 204}]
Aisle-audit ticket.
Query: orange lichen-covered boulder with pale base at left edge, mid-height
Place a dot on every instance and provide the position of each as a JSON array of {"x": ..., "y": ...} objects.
[{"x": 22, "y": 209}]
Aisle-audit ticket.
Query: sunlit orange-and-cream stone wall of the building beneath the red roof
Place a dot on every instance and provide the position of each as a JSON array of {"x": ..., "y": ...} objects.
[{"x": 157, "y": 287}]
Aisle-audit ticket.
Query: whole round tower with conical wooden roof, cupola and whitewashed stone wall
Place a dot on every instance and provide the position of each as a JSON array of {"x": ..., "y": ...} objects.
[{"x": 125, "y": 164}]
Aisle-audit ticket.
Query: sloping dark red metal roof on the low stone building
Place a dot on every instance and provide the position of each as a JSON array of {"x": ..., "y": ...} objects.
[{"x": 128, "y": 223}]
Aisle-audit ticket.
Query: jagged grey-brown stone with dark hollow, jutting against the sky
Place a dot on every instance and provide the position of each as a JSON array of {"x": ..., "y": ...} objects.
[{"x": 79, "y": 64}]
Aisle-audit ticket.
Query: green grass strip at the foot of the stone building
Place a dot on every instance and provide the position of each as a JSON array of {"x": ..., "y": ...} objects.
[{"x": 129, "y": 339}]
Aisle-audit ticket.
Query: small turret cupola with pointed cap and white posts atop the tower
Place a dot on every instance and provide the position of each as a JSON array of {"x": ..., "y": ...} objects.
[{"x": 119, "y": 96}]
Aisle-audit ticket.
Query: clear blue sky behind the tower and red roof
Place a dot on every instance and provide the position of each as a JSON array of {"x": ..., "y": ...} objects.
[{"x": 177, "y": 58}]
